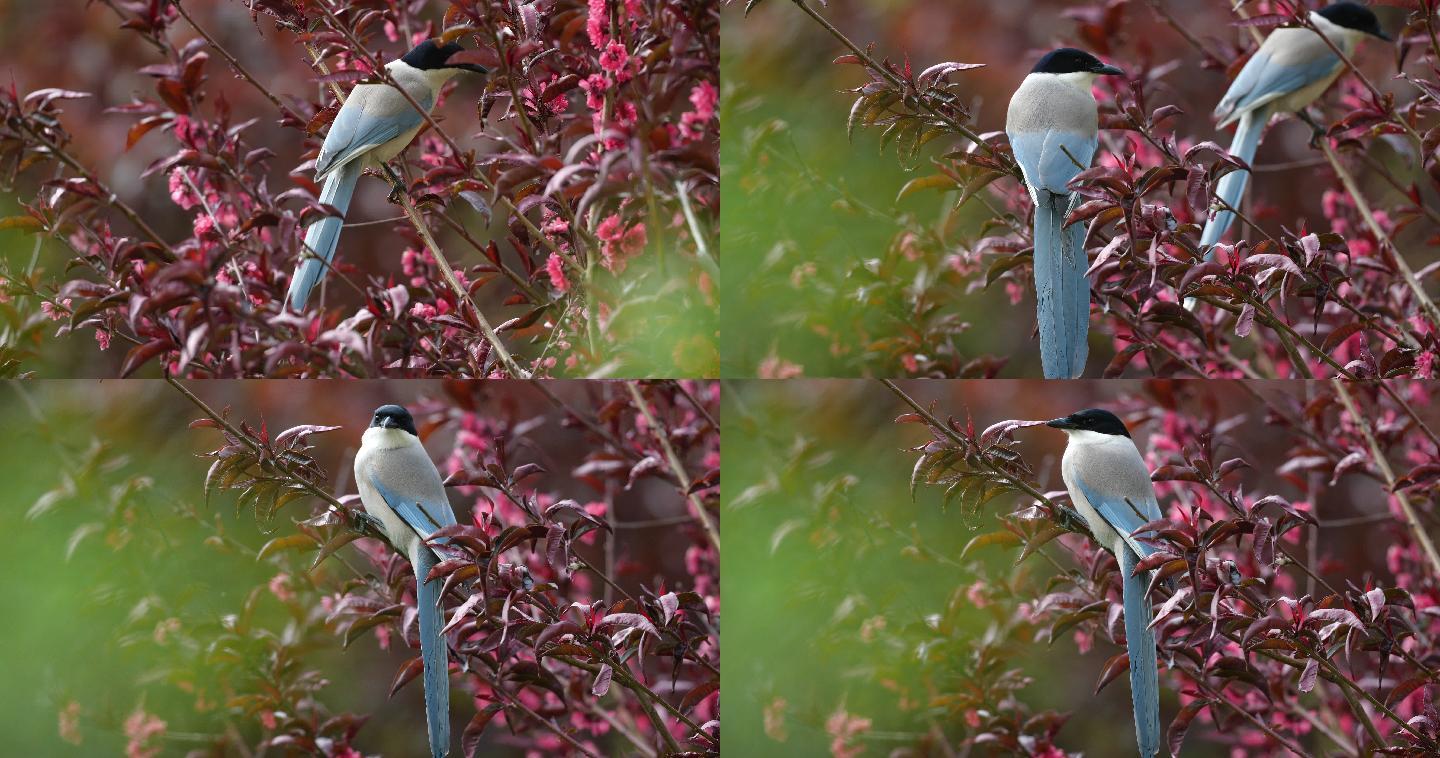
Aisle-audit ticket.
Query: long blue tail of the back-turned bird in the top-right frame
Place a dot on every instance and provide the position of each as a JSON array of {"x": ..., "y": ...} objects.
[{"x": 1062, "y": 289}]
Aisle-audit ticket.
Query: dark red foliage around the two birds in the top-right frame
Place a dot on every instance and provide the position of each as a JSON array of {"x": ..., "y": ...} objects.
[{"x": 1292, "y": 299}]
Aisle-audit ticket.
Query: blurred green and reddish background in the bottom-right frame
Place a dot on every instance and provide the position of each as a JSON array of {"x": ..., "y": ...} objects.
[{"x": 833, "y": 571}]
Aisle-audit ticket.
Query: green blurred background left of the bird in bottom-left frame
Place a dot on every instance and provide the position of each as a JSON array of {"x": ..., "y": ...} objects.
[{"x": 86, "y": 610}]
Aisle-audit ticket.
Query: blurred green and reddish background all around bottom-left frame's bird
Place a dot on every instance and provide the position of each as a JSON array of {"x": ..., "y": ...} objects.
[{"x": 87, "y": 592}]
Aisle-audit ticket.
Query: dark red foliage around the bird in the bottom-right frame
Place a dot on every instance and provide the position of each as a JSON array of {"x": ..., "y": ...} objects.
[{"x": 1258, "y": 636}]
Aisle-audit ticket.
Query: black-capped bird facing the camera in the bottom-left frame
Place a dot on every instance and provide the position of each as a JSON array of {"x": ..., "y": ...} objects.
[{"x": 401, "y": 489}]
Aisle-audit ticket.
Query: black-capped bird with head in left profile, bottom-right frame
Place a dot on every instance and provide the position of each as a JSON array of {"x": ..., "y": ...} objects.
[{"x": 1111, "y": 488}]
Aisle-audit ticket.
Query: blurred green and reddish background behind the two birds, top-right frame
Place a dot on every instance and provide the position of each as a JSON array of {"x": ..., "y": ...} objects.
[{"x": 809, "y": 211}]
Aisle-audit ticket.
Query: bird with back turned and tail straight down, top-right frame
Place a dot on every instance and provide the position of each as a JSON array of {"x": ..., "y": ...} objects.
[{"x": 1053, "y": 129}]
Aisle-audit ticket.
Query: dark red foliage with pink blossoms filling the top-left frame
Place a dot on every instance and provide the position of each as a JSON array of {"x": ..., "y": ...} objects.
[{"x": 558, "y": 200}]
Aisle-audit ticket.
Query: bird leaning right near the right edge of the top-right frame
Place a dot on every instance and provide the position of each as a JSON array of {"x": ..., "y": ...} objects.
[{"x": 1288, "y": 73}]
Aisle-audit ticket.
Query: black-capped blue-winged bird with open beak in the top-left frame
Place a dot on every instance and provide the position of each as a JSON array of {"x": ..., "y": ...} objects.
[{"x": 374, "y": 126}]
